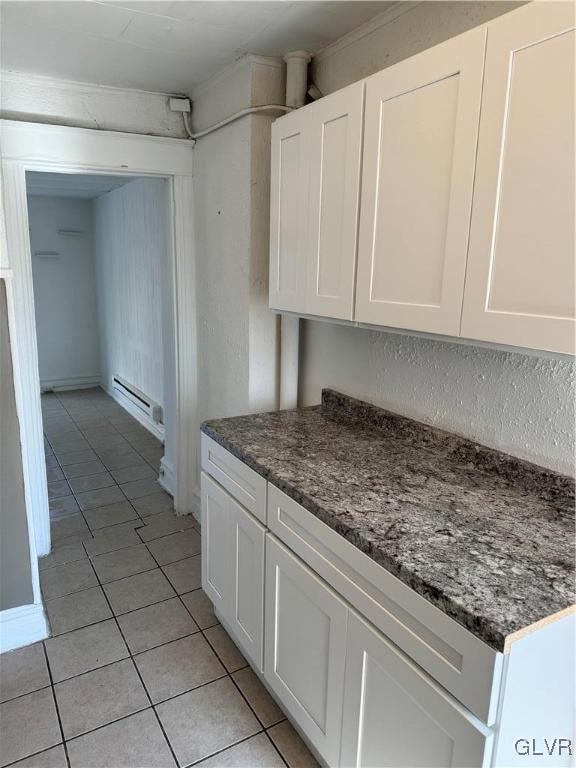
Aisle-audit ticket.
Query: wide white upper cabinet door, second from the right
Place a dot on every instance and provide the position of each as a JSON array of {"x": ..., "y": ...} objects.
[{"x": 420, "y": 140}]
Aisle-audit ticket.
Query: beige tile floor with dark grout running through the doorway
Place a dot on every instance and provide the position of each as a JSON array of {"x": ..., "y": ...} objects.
[{"x": 137, "y": 672}]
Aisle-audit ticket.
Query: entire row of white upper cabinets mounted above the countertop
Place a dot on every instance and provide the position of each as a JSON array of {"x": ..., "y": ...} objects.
[{"x": 438, "y": 195}]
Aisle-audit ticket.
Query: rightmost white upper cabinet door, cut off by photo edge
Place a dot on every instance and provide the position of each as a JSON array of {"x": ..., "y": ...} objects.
[{"x": 520, "y": 278}]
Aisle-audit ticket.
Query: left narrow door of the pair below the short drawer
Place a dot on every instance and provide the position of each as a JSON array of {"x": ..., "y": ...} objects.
[{"x": 217, "y": 545}]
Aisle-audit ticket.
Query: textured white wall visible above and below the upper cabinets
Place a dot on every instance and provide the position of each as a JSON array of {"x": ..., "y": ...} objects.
[{"x": 517, "y": 403}]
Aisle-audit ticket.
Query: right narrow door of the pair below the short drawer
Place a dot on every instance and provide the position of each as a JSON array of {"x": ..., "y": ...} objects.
[{"x": 247, "y": 605}]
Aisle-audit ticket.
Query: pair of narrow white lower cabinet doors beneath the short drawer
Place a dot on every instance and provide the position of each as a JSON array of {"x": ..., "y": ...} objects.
[{"x": 233, "y": 567}]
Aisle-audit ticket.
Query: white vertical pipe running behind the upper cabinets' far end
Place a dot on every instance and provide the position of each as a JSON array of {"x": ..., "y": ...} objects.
[{"x": 296, "y": 87}]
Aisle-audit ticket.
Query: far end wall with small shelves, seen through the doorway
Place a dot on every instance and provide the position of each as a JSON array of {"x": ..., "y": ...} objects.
[{"x": 64, "y": 291}]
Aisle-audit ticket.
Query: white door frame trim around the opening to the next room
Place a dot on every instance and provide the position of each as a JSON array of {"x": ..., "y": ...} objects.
[{"x": 63, "y": 149}]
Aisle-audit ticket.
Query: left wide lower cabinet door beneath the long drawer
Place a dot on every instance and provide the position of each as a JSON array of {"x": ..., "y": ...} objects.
[{"x": 305, "y": 647}]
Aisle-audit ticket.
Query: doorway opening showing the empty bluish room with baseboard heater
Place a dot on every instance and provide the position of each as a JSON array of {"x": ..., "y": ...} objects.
[{"x": 100, "y": 250}]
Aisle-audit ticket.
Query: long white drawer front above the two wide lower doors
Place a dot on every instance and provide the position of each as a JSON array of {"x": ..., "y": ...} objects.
[{"x": 463, "y": 664}]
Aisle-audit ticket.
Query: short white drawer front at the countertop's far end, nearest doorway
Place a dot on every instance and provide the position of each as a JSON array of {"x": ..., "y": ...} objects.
[{"x": 245, "y": 485}]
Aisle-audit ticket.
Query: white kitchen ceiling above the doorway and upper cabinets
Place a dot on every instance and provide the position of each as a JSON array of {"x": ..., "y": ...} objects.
[{"x": 164, "y": 45}]
